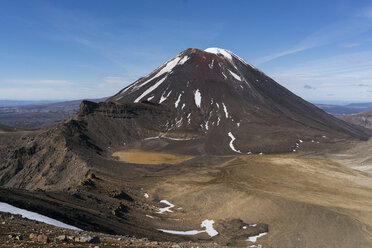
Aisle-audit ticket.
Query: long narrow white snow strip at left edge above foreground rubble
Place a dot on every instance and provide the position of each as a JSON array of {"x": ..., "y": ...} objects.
[{"x": 4, "y": 207}]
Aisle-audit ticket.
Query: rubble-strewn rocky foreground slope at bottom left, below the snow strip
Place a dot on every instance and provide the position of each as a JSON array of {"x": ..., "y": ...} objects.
[{"x": 16, "y": 231}]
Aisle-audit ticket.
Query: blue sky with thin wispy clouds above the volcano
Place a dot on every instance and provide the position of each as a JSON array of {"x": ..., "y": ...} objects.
[{"x": 320, "y": 50}]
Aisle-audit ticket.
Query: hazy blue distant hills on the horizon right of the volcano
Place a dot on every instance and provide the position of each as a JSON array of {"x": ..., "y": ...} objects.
[{"x": 341, "y": 110}]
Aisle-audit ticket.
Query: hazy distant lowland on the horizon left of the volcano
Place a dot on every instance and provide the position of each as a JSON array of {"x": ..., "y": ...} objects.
[{"x": 38, "y": 115}]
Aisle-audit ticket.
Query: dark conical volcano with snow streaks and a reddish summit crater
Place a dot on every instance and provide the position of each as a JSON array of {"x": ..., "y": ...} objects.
[{"x": 230, "y": 106}]
